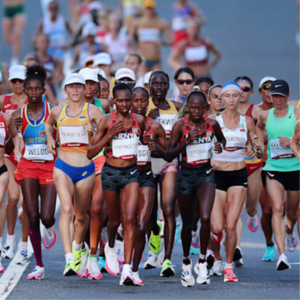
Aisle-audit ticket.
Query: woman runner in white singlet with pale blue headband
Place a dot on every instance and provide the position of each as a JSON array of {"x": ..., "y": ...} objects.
[{"x": 231, "y": 174}]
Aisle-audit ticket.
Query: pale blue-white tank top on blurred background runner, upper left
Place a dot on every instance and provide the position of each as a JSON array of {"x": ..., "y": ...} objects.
[{"x": 56, "y": 31}]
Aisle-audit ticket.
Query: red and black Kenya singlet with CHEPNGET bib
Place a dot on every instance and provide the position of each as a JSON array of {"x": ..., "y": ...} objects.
[{"x": 125, "y": 144}]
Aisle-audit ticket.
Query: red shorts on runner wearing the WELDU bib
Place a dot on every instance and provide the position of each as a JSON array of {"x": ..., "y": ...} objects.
[{"x": 41, "y": 171}]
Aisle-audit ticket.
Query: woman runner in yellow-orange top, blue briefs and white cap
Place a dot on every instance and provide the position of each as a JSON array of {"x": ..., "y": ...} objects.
[{"x": 74, "y": 173}]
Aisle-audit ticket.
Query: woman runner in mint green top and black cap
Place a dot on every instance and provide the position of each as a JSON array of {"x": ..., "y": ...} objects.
[{"x": 282, "y": 169}]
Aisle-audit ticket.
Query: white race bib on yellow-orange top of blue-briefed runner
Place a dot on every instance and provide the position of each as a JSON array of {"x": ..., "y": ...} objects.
[{"x": 73, "y": 136}]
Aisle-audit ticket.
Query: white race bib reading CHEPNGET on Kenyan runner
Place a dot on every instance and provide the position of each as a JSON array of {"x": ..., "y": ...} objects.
[{"x": 125, "y": 148}]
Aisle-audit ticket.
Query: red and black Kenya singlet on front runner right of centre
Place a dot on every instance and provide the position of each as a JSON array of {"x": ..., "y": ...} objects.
[{"x": 198, "y": 152}]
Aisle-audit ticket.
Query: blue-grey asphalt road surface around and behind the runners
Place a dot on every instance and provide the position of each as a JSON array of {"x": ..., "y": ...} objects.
[{"x": 256, "y": 38}]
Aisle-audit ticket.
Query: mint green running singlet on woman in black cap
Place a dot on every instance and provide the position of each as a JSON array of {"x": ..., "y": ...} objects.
[{"x": 281, "y": 159}]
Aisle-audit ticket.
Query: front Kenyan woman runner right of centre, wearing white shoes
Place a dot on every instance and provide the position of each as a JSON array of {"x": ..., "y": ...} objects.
[{"x": 192, "y": 136}]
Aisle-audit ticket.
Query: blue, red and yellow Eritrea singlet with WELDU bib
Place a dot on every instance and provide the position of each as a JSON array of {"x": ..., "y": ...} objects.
[{"x": 34, "y": 136}]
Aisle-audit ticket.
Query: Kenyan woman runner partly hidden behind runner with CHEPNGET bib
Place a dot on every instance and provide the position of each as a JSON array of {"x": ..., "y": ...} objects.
[{"x": 156, "y": 143}]
